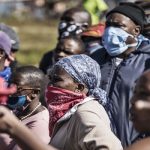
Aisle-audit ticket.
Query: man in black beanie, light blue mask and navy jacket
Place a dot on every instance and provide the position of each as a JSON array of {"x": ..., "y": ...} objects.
[{"x": 125, "y": 57}]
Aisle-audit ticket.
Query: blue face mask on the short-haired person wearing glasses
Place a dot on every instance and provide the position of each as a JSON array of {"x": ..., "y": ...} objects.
[{"x": 15, "y": 102}]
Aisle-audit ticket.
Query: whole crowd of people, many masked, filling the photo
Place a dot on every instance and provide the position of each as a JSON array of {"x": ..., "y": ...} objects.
[{"x": 90, "y": 92}]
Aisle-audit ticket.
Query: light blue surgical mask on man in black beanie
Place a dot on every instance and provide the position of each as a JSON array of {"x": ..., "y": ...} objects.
[{"x": 114, "y": 41}]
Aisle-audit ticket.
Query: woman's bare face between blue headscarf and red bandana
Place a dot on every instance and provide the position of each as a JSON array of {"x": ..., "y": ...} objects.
[{"x": 61, "y": 79}]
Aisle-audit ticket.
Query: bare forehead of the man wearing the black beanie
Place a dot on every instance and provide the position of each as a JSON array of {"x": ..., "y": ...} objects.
[{"x": 117, "y": 17}]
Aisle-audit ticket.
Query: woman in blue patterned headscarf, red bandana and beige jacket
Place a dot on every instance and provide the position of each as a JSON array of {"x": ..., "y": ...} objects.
[{"x": 75, "y": 101}]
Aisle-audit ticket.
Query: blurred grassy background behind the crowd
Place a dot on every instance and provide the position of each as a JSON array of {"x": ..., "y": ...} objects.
[{"x": 36, "y": 23}]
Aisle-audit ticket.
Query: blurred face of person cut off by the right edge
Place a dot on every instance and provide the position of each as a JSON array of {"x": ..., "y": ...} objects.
[{"x": 140, "y": 115}]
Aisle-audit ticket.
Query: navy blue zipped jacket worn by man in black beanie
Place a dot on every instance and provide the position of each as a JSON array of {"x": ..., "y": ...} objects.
[{"x": 119, "y": 82}]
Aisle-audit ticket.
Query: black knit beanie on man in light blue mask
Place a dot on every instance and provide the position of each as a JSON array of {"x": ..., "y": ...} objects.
[{"x": 131, "y": 10}]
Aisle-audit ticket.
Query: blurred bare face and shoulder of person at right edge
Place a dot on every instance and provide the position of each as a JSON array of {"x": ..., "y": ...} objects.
[{"x": 140, "y": 111}]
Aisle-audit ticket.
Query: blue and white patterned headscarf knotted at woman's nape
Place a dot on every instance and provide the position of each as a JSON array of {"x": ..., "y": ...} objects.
[{"x": 85, "y": 70}]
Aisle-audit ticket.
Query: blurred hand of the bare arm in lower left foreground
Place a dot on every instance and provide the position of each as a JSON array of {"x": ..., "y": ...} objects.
[{"x": 7, "y": 121}]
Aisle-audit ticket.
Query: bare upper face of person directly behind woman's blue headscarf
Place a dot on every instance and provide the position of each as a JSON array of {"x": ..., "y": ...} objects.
[{"x": 66, "y": 47}]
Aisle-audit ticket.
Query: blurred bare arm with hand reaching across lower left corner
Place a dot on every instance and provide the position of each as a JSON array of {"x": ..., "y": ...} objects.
[{"x": 11, "y": 125}]
